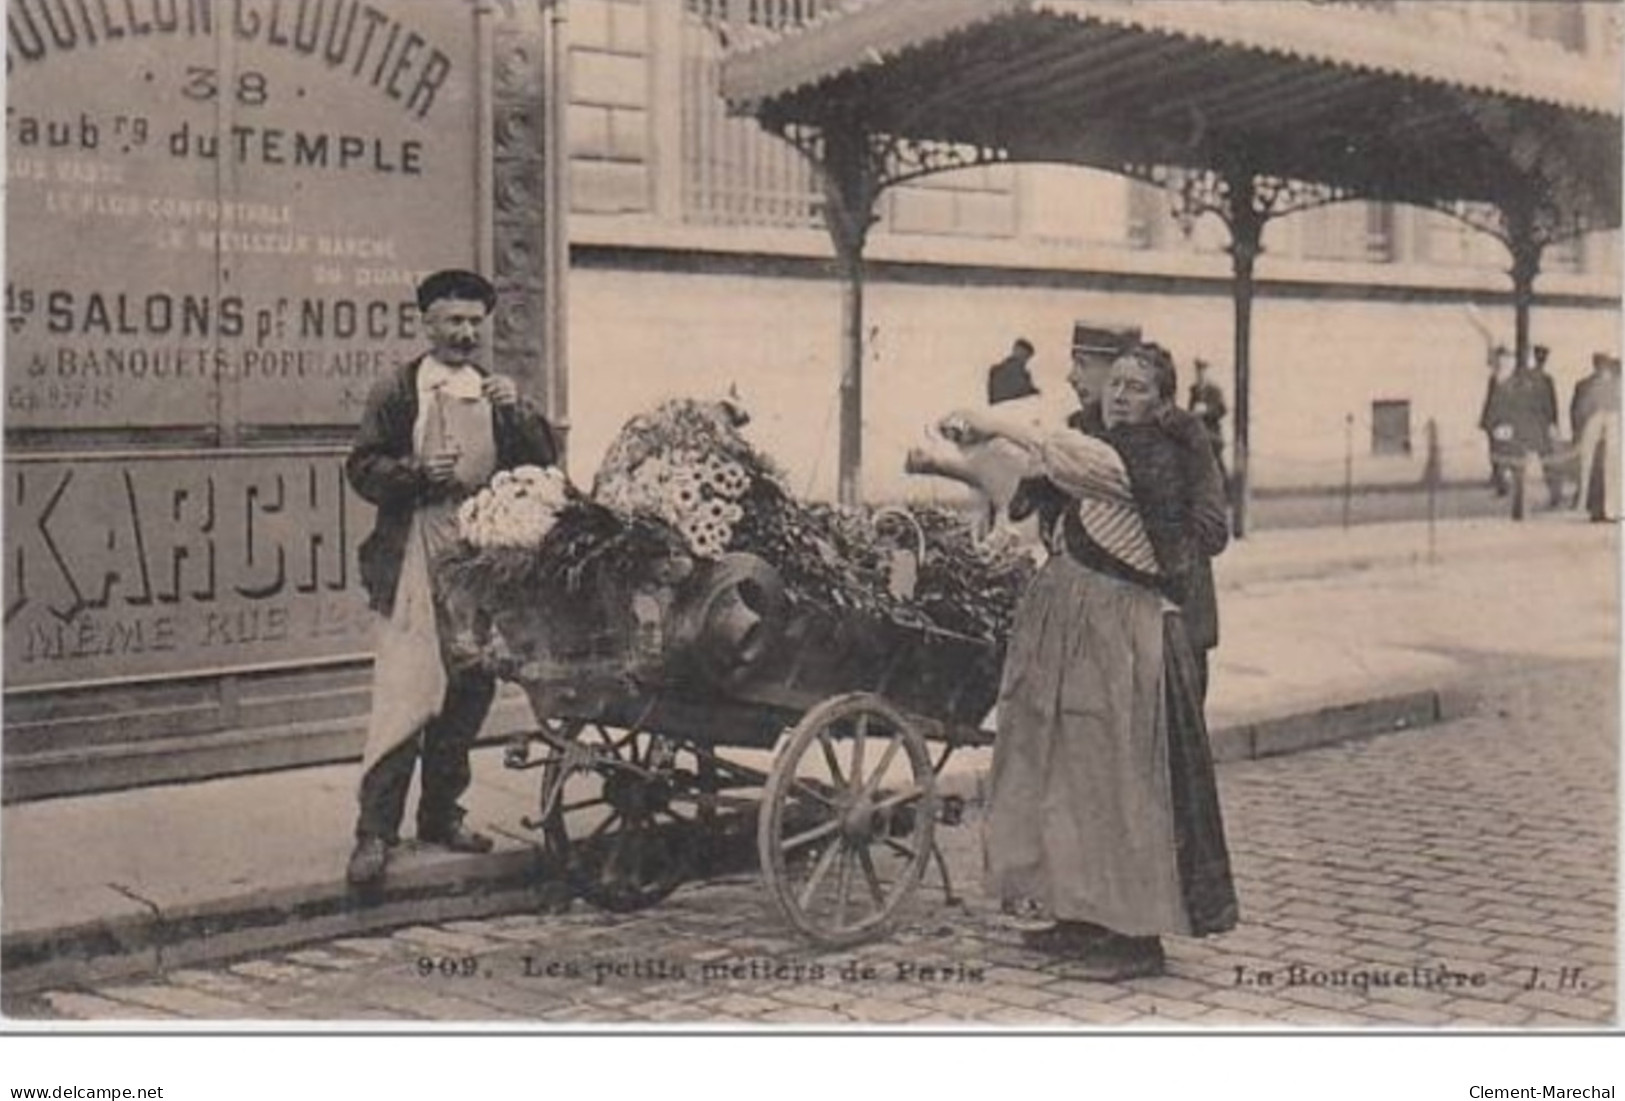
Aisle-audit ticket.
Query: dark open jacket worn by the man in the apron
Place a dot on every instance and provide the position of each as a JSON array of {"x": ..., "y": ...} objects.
[{"x": 381, "y": 467}]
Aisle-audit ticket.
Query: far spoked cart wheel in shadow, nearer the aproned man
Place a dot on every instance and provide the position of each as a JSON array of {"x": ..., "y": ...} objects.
[{"x": 625, "y": 827}]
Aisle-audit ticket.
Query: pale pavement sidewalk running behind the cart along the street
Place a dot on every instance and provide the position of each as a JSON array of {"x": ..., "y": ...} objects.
[{"x": 1328, "y": 634}]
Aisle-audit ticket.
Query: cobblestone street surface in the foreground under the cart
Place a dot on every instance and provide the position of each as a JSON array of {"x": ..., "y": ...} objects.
[{"x": 1449, "y": 876}]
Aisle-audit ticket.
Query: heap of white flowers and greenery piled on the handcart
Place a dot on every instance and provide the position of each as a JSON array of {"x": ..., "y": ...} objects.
[{"x": 682, "y": 486}]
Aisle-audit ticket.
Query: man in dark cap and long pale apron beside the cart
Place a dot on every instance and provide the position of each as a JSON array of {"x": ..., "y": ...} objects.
[{"x": 433, "y": 433}]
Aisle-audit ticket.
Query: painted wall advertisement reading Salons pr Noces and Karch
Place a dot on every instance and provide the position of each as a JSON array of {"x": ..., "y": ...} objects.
[{"x": 217, "y": 212}]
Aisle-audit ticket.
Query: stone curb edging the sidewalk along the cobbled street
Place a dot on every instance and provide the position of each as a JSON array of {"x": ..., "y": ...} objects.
[{"x": 469, "y": 887}]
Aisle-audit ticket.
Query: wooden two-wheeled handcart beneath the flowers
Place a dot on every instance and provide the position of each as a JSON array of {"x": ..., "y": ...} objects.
[{"x": 670, "y": 717}]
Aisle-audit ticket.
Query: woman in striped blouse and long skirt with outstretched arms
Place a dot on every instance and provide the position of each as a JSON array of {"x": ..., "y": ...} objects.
[{"x": 1104, "y": 808}]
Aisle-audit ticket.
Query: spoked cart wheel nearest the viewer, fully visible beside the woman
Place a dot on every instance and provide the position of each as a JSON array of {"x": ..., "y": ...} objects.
[{"x": 846, "y": 827}]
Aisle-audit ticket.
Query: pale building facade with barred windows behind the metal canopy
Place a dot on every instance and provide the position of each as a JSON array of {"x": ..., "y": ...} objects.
[{"x": 701, "y": 262}]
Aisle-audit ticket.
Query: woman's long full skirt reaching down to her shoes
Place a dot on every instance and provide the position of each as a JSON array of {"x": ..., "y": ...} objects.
[{"x": 1104, "y": 805}]
